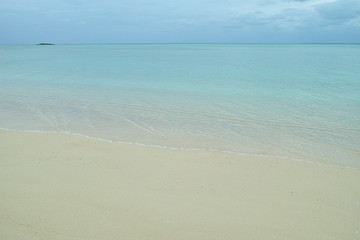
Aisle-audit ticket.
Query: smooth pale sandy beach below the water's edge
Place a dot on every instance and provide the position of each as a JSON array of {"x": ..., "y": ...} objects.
[{"x": 58, "y": 186}]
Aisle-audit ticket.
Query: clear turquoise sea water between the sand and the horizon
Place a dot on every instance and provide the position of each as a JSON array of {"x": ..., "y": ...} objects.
[{"x": 293, "y": 101}]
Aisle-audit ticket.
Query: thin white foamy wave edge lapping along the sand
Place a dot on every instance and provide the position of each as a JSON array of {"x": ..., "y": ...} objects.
[{"x": 183, "y": 149}]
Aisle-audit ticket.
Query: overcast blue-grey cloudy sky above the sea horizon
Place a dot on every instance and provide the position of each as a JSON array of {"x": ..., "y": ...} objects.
[{"x": 182, "y": 21}]
